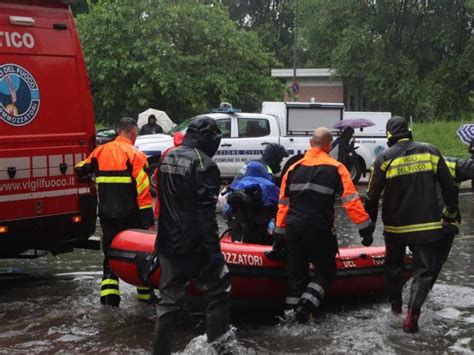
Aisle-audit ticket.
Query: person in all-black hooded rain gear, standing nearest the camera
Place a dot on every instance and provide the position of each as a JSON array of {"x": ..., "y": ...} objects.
[{"x": 188, "y": 244}]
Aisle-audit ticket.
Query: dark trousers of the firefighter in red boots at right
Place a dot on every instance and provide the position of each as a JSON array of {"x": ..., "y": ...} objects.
[{"x": 424, "y": 271}]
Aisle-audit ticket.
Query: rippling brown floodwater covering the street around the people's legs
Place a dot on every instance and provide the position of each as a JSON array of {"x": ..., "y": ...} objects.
[{"x": 51, "y": 305}]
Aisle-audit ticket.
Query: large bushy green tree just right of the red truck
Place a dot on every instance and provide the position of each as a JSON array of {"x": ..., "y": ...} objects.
[{"x": 177, "y": 56}]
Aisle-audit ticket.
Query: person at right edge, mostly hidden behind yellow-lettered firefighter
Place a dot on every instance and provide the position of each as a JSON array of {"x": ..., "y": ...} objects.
[{"x": 461, "y": 170}]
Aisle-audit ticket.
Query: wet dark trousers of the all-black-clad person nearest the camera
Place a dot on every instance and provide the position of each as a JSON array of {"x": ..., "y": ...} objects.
[{"x": 176, "y": 273}]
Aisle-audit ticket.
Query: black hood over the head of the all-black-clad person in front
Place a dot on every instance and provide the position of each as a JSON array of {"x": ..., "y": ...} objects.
[{"x": 204, "y": 134}]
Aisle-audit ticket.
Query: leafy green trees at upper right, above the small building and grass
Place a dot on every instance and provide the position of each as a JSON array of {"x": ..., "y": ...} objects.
[{"x": 412, "y": 57}]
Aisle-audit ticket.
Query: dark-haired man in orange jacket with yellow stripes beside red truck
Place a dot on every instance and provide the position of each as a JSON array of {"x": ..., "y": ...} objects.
[{"x": 124, "y": 198}]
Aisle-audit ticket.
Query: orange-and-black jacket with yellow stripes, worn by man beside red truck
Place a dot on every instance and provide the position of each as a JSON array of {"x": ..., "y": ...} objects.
[{"x": 124, "y": 186}]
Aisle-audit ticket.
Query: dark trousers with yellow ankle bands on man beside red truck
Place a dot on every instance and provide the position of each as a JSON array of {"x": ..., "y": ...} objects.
[{"x": 109, "y": 288}]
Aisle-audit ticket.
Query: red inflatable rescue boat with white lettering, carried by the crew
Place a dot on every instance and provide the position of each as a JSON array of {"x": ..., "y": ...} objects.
[{"x": 253, "y": 276}]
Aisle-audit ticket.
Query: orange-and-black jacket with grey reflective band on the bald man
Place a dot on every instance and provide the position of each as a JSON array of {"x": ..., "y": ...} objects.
[{"x": 308, "y": 192}]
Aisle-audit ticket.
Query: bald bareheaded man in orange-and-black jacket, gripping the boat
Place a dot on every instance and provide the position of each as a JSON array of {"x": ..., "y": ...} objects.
[{"x": 306, "y": 219}]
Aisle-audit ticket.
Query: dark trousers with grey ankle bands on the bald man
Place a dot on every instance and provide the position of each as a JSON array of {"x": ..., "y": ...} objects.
[{"x": 309, "y": 245}]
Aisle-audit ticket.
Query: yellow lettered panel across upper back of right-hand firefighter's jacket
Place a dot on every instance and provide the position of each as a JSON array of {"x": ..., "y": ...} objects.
[{"x": 410, "y": 164}]
